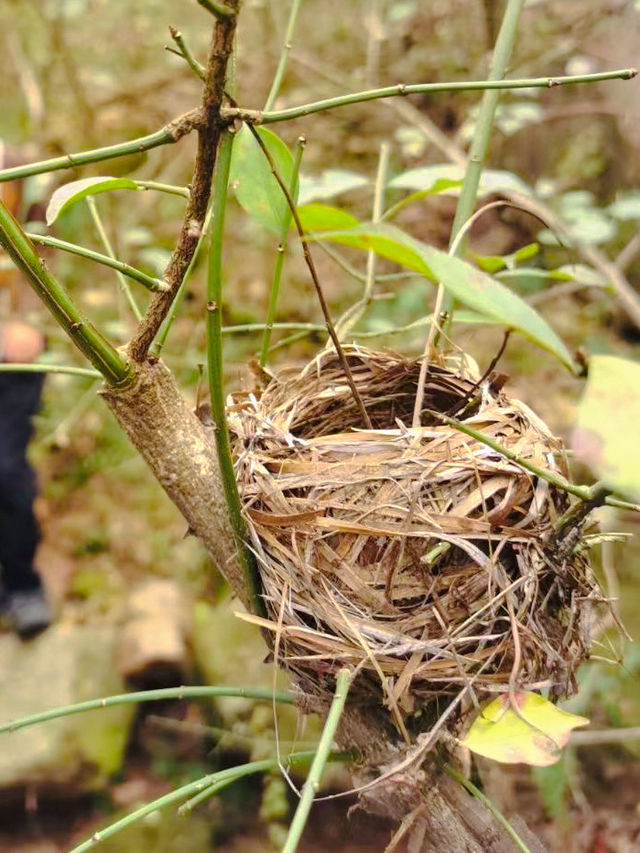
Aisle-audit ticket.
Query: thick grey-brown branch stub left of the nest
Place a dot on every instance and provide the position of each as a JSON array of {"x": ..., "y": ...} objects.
[{"x": 181, "y": 452}]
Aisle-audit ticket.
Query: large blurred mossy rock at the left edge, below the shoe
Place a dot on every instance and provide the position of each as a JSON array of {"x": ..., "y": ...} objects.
[{"x": 68, "y": 663}]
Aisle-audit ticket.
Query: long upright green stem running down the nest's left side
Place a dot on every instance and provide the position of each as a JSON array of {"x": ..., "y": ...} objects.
[{"x": 216, "y": 371}]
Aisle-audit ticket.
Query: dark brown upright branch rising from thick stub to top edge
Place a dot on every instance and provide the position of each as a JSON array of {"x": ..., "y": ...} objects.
[{"x": 208, "y": 139}]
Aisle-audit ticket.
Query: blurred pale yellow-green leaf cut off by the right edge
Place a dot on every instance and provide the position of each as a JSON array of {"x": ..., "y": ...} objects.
[{"x": 606, "y": 434}]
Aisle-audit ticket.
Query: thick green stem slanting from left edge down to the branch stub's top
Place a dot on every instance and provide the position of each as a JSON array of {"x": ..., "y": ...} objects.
[{"x": 104, "y": 357}]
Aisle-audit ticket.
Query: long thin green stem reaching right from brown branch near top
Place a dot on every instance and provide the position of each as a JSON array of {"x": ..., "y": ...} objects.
[{"x": 259, "y": 117}]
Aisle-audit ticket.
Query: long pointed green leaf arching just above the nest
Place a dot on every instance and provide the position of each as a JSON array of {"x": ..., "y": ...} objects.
[{"x": 466, "y": 283}]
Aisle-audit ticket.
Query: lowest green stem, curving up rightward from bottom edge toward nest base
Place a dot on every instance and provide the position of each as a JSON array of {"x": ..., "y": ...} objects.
[{"x": 221, "y": 778}]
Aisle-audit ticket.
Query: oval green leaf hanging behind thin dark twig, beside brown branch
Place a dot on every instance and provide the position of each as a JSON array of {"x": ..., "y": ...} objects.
[{"x": 252, "y": 180}]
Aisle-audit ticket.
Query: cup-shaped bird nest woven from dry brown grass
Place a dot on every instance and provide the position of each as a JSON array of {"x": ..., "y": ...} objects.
[{"x": 420, "y": 556}]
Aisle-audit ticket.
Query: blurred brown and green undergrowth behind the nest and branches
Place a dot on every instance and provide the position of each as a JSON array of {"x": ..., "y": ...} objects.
[{"x": 85, "y": 73}]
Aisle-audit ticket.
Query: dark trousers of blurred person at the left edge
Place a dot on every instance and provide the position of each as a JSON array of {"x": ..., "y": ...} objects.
[{"x": 19, "y": 531}]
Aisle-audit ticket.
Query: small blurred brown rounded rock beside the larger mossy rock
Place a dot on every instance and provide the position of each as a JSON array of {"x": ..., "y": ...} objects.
[{"x": 152, "y": 651}]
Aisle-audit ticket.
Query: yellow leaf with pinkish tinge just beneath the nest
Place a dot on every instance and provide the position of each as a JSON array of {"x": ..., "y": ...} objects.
[{"x": 533, "y": 732}]
